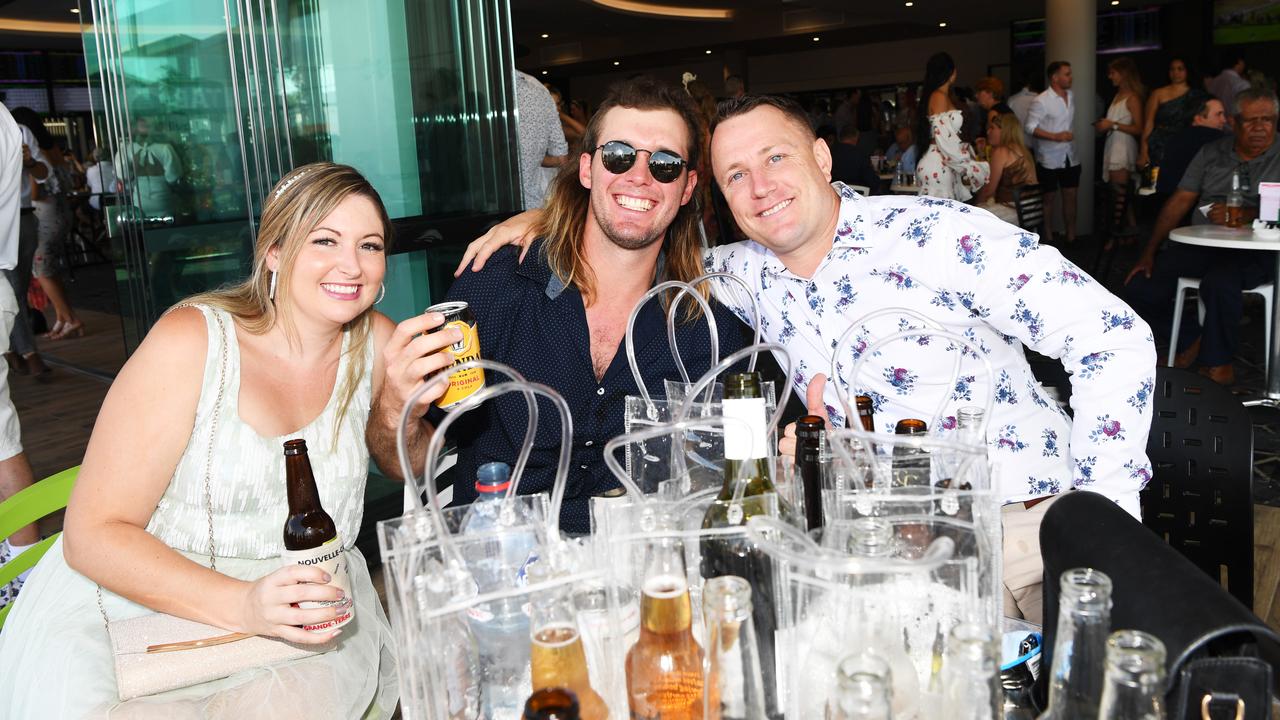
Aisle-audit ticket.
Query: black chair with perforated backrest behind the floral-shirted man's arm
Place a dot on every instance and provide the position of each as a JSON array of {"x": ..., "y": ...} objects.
[{"x": 1200, "y": 498}]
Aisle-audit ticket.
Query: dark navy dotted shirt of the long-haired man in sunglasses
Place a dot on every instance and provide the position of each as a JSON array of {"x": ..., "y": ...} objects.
[{"x": 528, "y": 320}]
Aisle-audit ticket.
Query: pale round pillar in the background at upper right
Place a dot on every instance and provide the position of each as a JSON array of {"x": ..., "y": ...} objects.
[{"x": 1071, "y": 30}]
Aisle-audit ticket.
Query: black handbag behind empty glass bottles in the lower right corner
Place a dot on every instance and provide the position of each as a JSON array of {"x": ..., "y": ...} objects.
[{"x": 1222, "y": 658}]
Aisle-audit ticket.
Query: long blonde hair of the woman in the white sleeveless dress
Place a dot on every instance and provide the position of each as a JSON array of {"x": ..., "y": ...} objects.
[{"x": 294, "y": 209}]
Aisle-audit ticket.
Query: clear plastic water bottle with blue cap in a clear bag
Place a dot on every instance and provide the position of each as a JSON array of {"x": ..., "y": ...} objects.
[{"x": 499, "y": 545}]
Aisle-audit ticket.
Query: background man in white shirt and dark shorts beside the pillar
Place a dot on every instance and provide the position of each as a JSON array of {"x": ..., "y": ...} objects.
[{"x": 1057, "y": 165}]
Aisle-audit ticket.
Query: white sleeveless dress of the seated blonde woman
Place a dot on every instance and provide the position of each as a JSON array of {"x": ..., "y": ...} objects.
[{"x": 56, "y": 658}]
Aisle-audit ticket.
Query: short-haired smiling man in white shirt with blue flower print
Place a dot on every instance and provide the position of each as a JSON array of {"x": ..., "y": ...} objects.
[{"x": 824, "y": 258}]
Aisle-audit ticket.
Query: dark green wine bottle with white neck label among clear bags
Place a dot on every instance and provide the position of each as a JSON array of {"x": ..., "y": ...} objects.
[{"x": 748, "y": 491}]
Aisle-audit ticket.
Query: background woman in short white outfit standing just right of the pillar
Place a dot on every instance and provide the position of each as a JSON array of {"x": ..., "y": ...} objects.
[{"x": 1123, "y": 127}]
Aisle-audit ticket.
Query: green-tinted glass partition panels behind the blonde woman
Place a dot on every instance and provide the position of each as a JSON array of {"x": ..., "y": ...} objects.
[{"x": 203, "y": 107}]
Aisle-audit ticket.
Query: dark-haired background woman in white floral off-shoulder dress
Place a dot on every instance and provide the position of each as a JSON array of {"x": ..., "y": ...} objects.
[{"x": 948, "y": 167}]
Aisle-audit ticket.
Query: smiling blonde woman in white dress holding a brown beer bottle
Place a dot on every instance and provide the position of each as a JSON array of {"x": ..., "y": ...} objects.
[{"x": 295, "y": 352}]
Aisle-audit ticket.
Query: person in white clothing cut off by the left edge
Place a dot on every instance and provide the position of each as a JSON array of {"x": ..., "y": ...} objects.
[{"x": 16, "y": 168}]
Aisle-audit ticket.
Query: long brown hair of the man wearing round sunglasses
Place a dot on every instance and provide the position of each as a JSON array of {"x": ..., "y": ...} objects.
[{"x": 568, "y": 202}]
